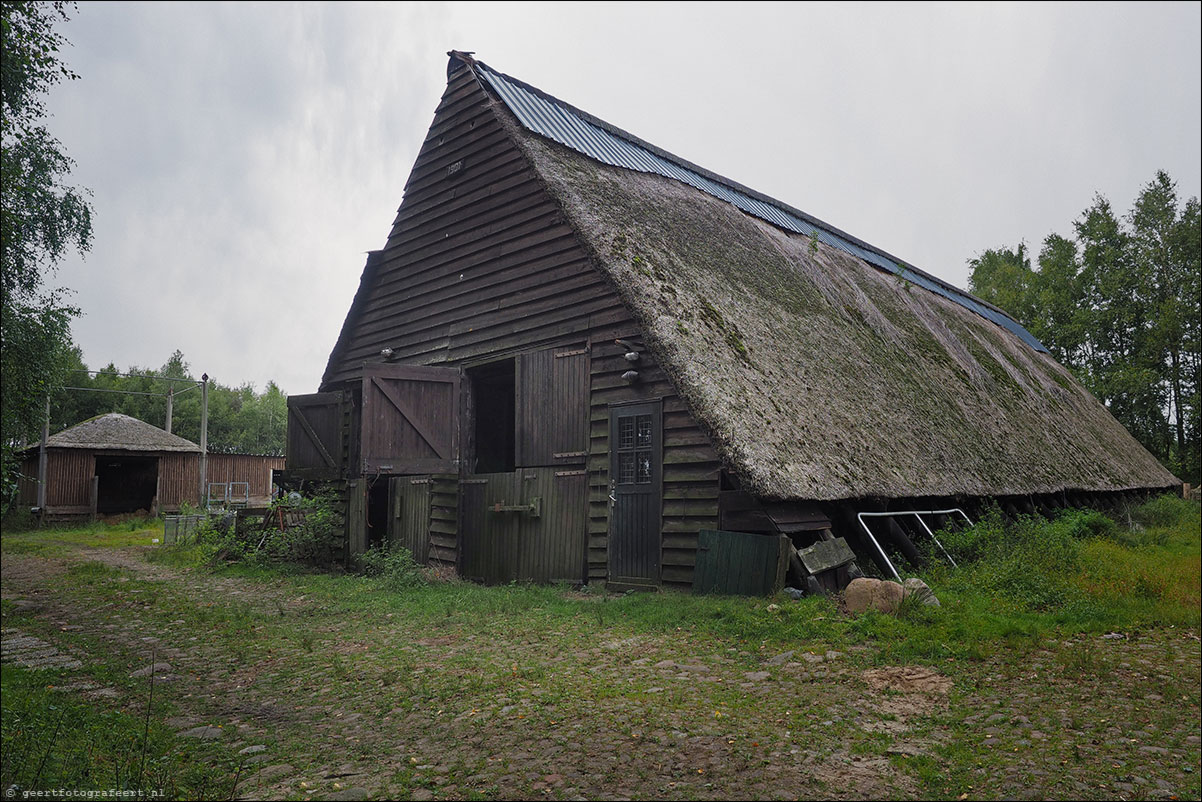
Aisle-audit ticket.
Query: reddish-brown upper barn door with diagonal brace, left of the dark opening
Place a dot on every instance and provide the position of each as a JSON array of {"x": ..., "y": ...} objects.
[{"x": 410, "y": 420}]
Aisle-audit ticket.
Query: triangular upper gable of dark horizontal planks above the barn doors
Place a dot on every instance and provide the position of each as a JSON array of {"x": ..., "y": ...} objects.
[{"x": 479, "y": 264}]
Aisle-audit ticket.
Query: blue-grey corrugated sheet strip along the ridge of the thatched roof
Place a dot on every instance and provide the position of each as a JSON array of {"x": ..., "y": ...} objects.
[{"x": 556, "y": 121}]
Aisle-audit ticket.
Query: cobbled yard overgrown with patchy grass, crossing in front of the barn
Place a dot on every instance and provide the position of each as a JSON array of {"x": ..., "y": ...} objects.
[{"x": 316, "y": 705}]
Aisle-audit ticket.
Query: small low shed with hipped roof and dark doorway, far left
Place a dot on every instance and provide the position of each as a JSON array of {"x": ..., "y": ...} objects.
[{"x": 115, "y": 464}]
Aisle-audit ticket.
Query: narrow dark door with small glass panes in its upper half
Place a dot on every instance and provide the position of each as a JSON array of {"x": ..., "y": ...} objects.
[{"x": 636, "y": 467}]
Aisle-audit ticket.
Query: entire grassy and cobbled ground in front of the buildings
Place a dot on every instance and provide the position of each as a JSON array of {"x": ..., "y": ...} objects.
[{"x": 1063, "y": 663}]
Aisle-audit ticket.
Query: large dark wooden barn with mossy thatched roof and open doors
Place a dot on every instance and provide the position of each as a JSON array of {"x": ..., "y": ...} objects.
[{"x": 579, "y": 358}]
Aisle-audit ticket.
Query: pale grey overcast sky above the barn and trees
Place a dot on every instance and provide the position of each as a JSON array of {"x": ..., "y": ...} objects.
[{"x": 245, "y": 158}]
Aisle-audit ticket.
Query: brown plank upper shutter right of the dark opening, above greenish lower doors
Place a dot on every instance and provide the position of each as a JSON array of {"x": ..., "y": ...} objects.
[{"x": 554, "y": 408}]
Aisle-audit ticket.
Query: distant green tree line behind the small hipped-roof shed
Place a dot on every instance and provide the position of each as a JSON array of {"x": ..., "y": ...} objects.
[{"x": 241, "y": 420}]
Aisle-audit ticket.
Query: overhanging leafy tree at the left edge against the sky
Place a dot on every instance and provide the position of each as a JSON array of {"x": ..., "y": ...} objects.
[{"x": 40, "y": 222}]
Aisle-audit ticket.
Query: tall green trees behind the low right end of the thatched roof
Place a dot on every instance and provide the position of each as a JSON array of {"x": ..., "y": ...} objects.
[{"x": 1120, "y": 305}]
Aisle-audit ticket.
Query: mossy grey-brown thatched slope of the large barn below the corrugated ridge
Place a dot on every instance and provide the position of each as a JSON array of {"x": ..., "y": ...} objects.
[{"x": 820, "y": 376}]
